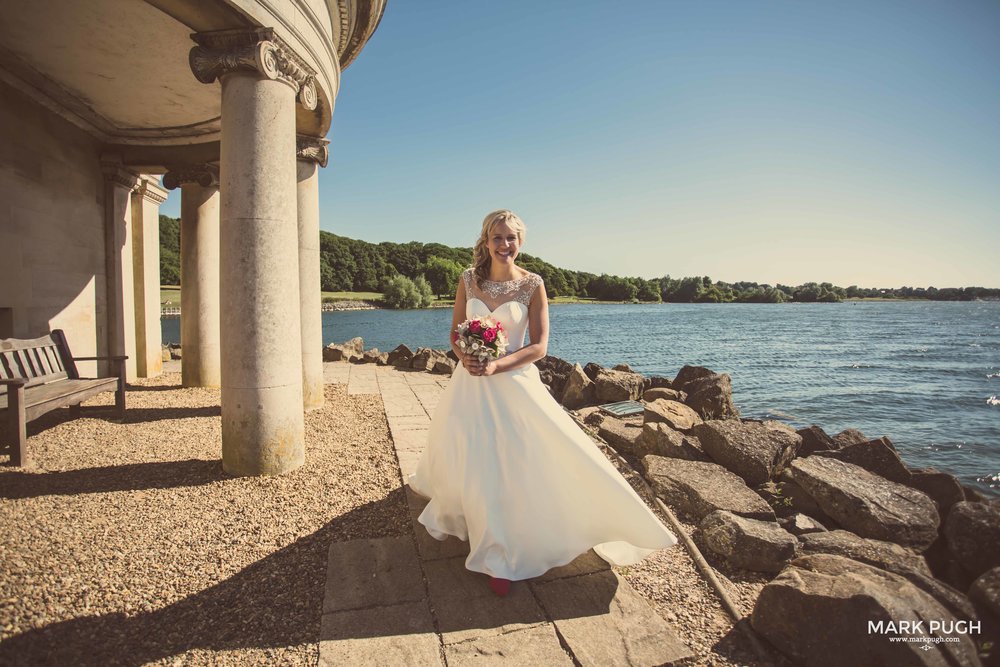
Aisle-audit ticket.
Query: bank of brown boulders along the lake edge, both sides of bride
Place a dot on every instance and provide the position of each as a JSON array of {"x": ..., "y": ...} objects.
[{"x": 869, "y": 561}]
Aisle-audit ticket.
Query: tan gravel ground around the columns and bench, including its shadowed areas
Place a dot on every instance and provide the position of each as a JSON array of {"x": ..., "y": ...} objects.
[{"x": 126, "y": 544}]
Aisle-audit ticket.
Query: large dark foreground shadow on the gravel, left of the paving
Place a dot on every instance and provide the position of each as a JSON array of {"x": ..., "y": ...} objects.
[{"x": 261, "y": 606}]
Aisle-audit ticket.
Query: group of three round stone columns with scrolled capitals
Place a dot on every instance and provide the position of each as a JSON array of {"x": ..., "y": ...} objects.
[{"x": 250, "y": 259}]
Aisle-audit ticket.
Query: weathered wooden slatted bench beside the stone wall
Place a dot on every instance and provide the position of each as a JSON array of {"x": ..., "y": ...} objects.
[{"x": 38, "y": 376}]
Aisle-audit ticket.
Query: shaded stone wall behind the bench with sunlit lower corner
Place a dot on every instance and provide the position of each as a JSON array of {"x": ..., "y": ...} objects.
[{"x": 52, "y": 257}]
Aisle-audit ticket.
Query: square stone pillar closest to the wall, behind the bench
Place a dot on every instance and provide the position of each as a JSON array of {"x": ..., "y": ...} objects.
[{"x": 119, "y": 282}]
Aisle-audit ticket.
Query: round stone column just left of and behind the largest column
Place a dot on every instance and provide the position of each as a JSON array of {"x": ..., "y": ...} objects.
[{"x": 200, "y": 337}]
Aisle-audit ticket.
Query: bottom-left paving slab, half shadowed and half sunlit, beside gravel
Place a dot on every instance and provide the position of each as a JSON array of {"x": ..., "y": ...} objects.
[{"x": 400, "y": 634}]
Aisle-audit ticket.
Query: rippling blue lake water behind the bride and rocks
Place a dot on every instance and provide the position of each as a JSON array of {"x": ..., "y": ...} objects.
[{"x": 919, "y": 372}]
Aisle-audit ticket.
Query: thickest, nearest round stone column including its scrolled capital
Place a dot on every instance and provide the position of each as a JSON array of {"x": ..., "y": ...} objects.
[{"x": 262, "y": 419}]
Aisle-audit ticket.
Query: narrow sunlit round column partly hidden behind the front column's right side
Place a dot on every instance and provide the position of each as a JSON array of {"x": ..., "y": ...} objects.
[{"x": 312, "y": 154}]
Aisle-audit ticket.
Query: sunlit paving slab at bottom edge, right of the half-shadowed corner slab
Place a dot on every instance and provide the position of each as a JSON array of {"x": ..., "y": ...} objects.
[{"x": 538, "y": 645}]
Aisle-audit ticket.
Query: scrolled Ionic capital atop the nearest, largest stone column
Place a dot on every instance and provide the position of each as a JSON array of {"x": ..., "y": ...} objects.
[{"x": 258, "y": 50}]
